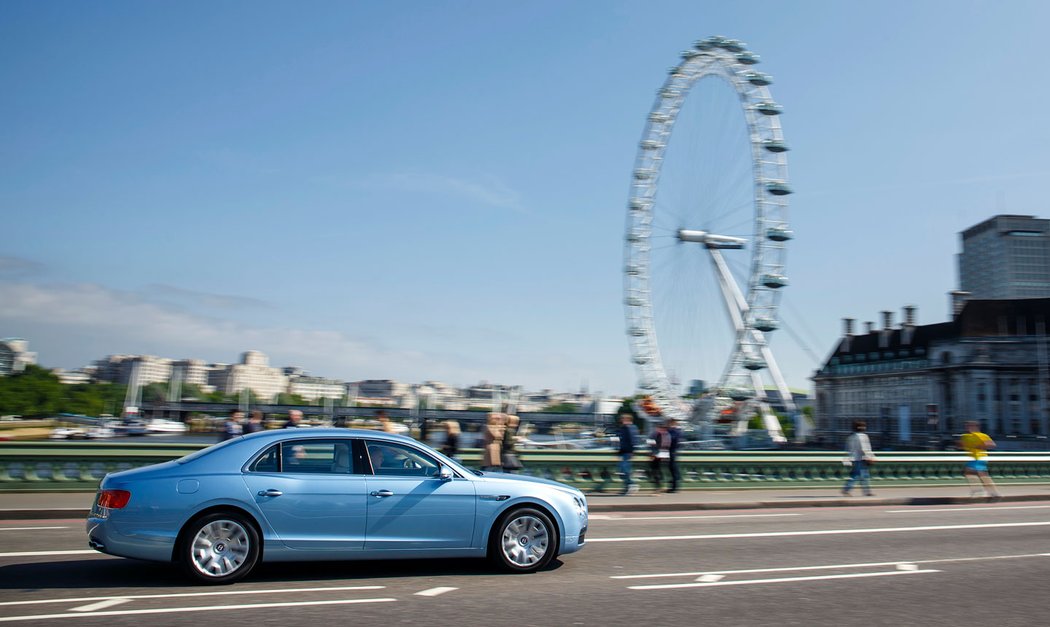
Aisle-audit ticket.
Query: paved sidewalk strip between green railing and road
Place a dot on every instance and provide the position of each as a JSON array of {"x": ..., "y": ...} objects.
[{"x": 68, "y": 506}]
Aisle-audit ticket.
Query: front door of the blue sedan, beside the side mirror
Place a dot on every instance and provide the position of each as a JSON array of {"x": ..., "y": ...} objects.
[{"x": 410, "y": 507}]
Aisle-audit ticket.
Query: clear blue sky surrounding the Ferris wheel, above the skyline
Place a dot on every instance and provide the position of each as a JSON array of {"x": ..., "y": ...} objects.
[{"x": 437, "y": 191}]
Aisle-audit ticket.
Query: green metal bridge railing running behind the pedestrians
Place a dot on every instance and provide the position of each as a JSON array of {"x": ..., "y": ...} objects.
[{"x": 73, "y": 467}]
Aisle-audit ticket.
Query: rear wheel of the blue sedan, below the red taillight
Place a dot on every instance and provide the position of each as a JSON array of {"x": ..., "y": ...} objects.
[{"x": 219, "y": 549}]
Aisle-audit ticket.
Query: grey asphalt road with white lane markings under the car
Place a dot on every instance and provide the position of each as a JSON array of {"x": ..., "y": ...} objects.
[{"x": 982, "y": 565}]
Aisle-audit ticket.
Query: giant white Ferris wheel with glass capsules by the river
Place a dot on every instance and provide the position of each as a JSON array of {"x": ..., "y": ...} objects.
[{"x": 707, "y": 228}]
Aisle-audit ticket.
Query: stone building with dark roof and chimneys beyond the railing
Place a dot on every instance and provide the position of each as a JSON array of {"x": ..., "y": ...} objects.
[{"x": 916, "y": 385}]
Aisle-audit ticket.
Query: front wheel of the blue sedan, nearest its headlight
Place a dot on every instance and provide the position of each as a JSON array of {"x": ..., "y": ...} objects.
[{"x": 524, "y": 540}]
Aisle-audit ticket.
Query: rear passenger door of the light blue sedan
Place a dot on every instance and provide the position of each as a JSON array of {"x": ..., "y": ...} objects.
[{"x": 310, "y": 494}]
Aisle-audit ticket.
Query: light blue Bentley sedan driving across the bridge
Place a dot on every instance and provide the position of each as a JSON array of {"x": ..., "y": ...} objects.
[{"x": 330, "y": 494}]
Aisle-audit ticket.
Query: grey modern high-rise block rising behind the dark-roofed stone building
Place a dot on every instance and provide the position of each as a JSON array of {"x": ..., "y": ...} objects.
[{"x": 1006, "y": 257}]
